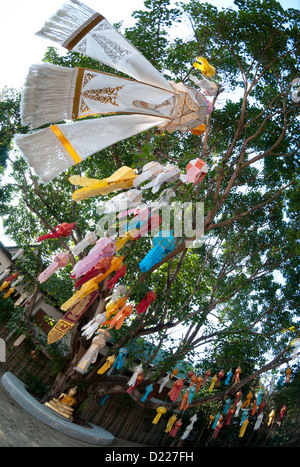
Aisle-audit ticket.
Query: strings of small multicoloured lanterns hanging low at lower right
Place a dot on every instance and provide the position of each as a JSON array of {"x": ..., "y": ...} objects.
[{"x": 232, "y": 407}]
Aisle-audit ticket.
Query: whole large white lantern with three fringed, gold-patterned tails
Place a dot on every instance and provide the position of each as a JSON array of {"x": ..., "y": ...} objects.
[{"x": 54, "y": 94}]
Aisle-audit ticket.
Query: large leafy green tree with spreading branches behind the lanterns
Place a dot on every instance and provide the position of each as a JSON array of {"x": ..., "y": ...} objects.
[{"x": 225, "y": 294}]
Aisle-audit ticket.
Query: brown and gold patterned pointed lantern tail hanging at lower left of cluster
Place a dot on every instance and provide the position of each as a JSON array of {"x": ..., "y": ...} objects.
[{"x": 70, "y": 318}]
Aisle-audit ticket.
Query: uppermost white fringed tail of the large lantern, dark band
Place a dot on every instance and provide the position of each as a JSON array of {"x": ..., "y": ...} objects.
[{"x": 81, "y": 29}]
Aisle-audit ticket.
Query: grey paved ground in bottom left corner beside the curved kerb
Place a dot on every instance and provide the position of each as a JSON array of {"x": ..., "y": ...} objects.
[{"x": 18, "y": 428}]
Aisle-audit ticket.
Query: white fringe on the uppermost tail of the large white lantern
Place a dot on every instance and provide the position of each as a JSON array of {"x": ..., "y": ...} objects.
[{"x": 62, "y": 25}]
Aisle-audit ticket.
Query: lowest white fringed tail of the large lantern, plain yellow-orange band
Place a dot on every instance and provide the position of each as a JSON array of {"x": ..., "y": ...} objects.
[{"x": 49, "y": 153}]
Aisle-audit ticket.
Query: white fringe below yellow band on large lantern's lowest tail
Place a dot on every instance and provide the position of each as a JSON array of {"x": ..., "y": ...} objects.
[{"x": 44, "y": 153}]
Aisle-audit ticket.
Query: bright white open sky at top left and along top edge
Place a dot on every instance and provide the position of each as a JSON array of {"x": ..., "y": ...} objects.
[{"x": 20, "y": 47}]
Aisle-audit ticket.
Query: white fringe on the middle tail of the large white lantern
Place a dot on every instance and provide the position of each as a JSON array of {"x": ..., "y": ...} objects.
[{"x": 48, "y": 94}]
